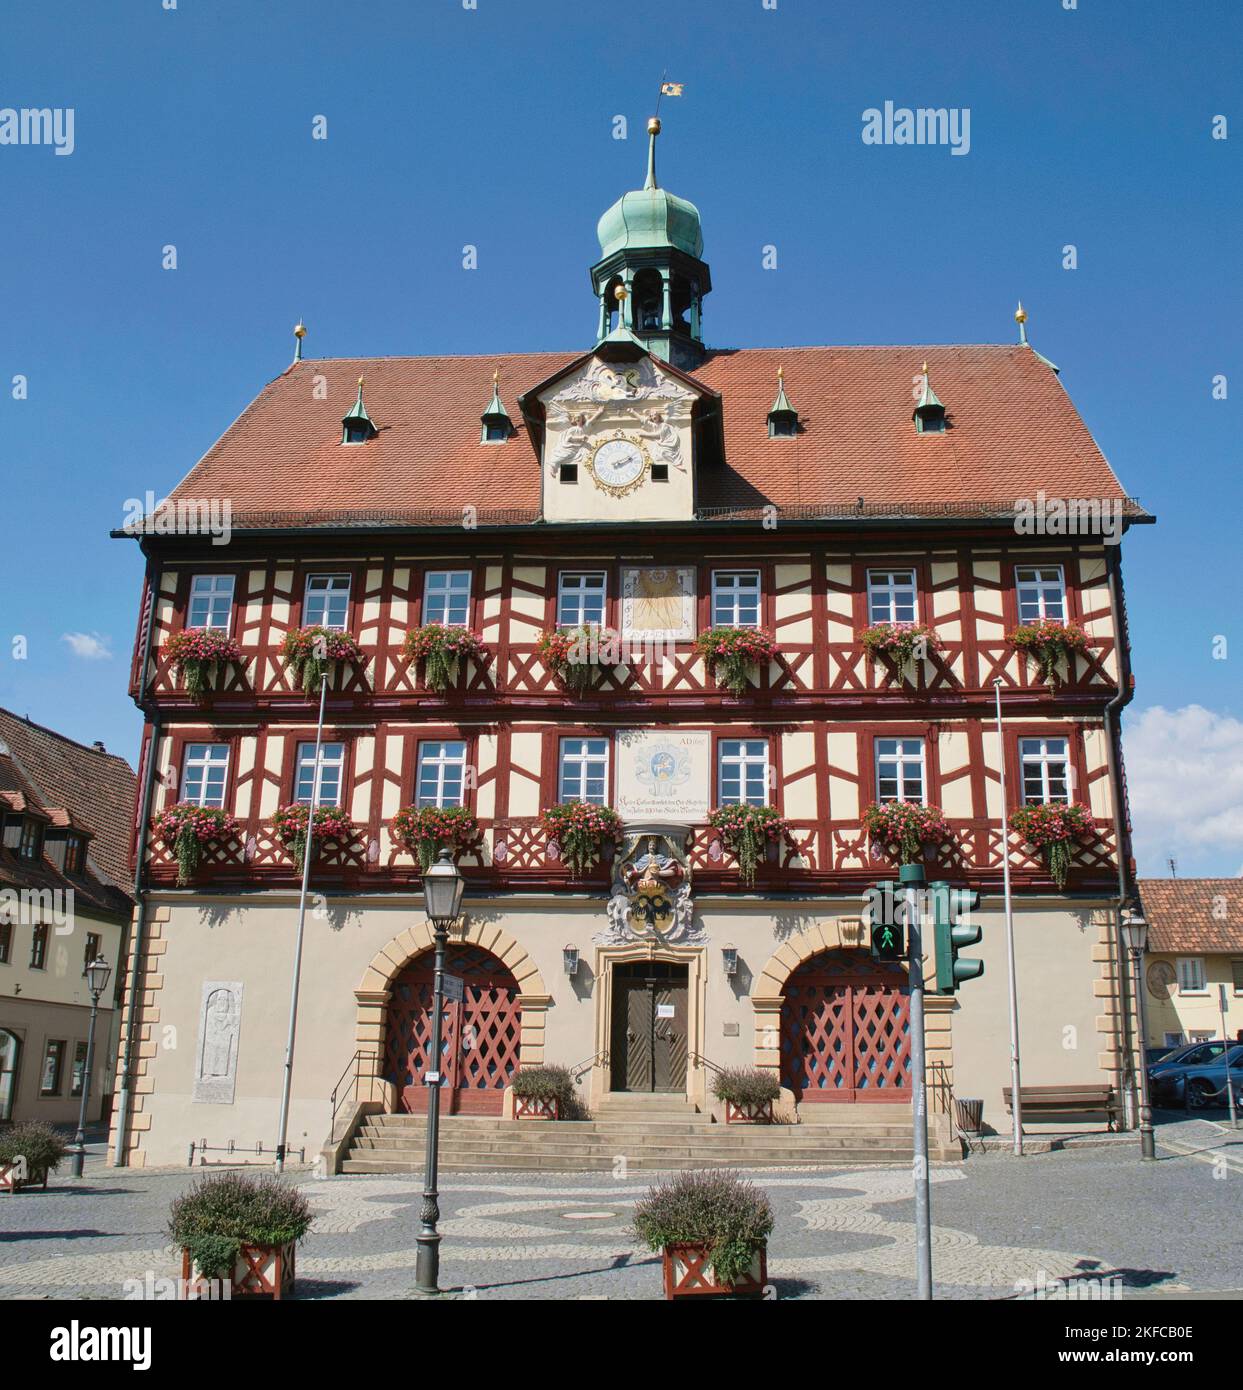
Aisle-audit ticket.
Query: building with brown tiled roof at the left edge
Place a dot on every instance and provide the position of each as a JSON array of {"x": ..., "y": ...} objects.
[{"x": 67, "y": 815}]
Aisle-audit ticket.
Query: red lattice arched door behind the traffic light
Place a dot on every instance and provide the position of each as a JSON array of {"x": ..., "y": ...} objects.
[{"x": 846, "y": 1031}]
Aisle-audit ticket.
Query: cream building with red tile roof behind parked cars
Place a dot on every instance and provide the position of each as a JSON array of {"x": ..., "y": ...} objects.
[{"x": 1195, "y": 953}]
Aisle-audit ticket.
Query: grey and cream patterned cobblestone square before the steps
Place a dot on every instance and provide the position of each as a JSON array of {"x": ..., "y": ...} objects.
[{"x": 1002, "y": 1225}]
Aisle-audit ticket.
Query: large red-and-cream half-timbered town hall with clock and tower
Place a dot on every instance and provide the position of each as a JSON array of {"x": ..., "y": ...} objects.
[{"x": 644, "y": 491}]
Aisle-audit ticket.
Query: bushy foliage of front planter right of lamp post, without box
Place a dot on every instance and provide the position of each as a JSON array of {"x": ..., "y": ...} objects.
[{"x": 714, "y": 1209}]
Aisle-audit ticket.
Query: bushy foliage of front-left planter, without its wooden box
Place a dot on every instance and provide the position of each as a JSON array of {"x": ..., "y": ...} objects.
[{"x": 227, "y": 1211}]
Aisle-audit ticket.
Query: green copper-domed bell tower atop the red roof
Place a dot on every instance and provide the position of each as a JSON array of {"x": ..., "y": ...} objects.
[{"x": 651, "y": 248}]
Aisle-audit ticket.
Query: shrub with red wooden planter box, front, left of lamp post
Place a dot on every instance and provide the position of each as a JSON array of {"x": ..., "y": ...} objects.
[{"x": 237, "y": 1227}]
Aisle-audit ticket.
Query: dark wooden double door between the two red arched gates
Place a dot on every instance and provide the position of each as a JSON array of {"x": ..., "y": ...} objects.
[{"x": 650, "y": 1043}]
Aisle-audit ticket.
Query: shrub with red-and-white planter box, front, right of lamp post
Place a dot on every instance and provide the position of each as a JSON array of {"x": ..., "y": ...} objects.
[{"x": 707, "y": 1220}]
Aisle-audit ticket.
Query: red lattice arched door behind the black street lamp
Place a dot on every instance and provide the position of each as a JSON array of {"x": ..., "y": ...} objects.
[{"x": 480, "y": 1038}]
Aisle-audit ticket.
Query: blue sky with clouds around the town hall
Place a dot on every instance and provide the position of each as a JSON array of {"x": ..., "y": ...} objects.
[{"x": 494, "y": 126}]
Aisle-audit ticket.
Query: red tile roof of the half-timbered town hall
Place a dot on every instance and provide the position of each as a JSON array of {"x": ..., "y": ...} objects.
[{"x": 1013, "y": 430}]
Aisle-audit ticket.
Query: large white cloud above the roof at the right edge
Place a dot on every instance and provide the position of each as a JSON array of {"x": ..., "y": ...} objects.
[{"x": 1185, "y": 778}]
